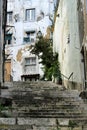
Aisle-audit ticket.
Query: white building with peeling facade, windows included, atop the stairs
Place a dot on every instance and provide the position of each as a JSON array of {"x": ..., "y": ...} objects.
[{"x": 24, "y": 19}]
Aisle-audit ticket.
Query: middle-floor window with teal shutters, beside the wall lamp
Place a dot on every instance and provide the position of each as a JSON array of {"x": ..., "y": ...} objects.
[{"x": 30, "y": 37}]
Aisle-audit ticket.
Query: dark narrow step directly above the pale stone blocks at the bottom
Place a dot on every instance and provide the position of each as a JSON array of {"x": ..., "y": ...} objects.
[{"x": 50, "y": 115}]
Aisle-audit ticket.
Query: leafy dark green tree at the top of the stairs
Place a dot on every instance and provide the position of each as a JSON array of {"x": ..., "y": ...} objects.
[{"x": 43, "y": 49}]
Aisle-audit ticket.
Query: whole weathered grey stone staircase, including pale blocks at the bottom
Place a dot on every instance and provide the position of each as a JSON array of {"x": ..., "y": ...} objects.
[{"x": 42, "y": 106}]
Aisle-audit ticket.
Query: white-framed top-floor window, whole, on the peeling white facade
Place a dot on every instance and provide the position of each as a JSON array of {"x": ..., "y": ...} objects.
[{"x": 30, "y": 15}]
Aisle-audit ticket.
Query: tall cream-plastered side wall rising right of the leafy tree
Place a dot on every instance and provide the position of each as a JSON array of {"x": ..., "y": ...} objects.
[{"x": 67, "y": 43}]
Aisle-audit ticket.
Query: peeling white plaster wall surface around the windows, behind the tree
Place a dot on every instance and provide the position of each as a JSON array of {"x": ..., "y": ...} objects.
[{"x": 20, "y": 50}]
